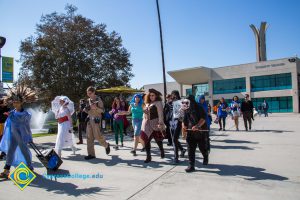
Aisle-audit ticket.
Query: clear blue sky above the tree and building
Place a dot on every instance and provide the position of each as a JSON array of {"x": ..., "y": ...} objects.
[{"x": 207, "y": 33}]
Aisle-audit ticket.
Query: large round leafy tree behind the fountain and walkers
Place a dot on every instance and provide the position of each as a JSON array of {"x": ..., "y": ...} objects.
[{"x": 68, "y": 53}]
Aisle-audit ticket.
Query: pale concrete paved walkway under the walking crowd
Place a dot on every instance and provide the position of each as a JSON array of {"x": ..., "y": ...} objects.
[{"x": 262, "y": 164}]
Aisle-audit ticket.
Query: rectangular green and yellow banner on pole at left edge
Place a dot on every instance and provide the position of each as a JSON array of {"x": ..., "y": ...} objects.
[{"x": 7, "y": 69}]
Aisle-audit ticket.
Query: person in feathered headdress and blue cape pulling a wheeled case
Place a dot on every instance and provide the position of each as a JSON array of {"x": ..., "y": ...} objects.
[{"x": 17, "y": 133}]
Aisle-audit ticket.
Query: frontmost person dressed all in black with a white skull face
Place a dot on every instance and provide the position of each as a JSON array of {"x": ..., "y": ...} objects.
[{"x": 194, "y": 123}]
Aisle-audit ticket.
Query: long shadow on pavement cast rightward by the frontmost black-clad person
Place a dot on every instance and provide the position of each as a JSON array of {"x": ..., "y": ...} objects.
[{"x": 247, "y": 172}]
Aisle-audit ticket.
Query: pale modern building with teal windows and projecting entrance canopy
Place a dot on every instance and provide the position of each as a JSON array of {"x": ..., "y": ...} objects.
[{"x": 277, "y": 81}]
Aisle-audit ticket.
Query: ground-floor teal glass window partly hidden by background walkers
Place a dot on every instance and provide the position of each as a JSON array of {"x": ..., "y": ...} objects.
[{"x": 276, "y": 104}]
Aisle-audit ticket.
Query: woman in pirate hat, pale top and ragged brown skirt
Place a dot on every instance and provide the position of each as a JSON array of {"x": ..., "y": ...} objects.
[{"x": 153, "y": 123}]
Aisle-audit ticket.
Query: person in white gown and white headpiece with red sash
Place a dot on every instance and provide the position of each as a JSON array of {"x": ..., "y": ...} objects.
[{"x": 64, "y": 133}]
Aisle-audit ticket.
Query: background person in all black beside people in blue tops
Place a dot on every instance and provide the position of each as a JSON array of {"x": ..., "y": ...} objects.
[{"x": 247, "y": 112}]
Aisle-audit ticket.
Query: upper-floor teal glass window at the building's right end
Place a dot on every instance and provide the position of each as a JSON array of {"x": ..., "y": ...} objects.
[{"x": 271, "y": 82}]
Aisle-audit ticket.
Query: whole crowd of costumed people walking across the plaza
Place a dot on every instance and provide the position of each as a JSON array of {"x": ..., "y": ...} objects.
[{"x": 151, "y": 119}]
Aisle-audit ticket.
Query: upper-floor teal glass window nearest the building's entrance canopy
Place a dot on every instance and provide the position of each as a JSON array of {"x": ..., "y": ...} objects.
[{"x": 228, "y": 86}]
